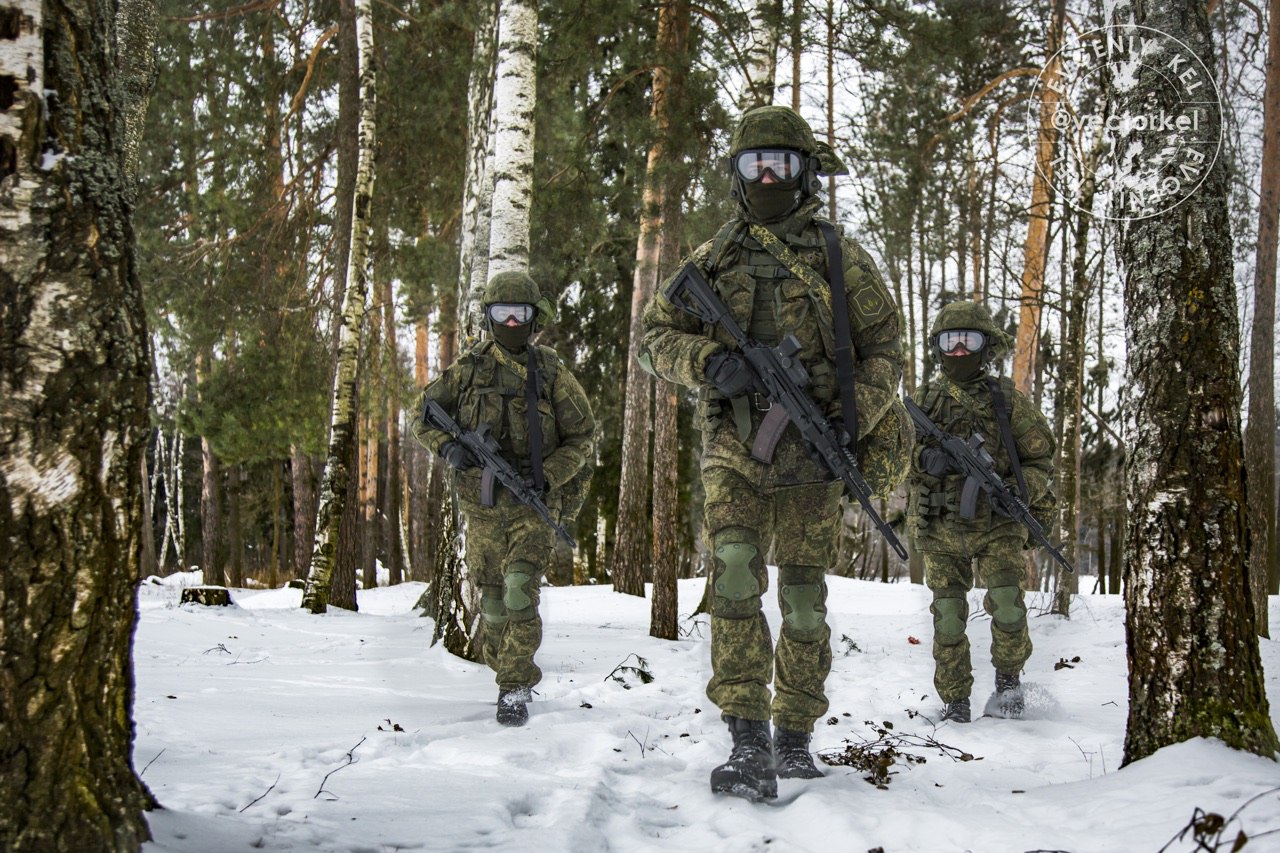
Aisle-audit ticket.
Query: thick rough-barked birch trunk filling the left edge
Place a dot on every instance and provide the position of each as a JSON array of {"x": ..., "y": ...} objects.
[{"x": 76, "y": 367}]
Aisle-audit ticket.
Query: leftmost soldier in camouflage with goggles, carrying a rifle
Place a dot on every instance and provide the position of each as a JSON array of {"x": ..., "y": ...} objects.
[{"x": 516, "y": 428}]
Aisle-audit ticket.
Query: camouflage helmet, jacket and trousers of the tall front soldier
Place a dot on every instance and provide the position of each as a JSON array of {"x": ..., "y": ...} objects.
[{"x": 788, "y": 510}]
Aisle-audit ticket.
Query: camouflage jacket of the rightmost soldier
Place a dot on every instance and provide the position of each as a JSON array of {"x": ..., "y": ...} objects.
[{"x": 964, "y": 409}]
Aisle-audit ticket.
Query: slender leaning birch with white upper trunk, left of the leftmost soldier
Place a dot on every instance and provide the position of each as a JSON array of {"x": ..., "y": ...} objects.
[{"x": 344, "y": 422}]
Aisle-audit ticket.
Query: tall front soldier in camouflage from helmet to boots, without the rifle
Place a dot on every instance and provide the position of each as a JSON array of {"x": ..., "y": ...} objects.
[{"x": 771, "y": 267}]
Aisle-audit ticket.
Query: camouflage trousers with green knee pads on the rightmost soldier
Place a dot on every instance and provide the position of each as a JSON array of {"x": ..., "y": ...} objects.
[{"x": 950, "y": 577}]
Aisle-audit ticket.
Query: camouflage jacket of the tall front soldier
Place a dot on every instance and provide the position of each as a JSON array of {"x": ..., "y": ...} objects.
[{"x": 770, "y": 303}]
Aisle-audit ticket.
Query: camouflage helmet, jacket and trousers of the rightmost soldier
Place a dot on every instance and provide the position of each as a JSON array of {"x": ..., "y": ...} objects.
[{"x": 950, "y": 545}]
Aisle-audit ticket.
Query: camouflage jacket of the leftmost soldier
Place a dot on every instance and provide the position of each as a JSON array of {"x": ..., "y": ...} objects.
[{"x": 487, "y": 386}]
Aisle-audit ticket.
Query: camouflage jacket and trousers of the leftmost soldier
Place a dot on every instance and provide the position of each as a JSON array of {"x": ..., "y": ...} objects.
[{"x": 509, "y": 545}]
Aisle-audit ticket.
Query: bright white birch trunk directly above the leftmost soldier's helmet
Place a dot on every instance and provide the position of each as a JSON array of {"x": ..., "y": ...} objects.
[{"x": 514, "y": 136}]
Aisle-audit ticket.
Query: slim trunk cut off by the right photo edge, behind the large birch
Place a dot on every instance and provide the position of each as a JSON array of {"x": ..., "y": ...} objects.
[{"x": 1260, "y": 437}]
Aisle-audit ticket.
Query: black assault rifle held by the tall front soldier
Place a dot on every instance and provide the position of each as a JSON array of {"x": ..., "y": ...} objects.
[{"x": 784, "y": 378}]
